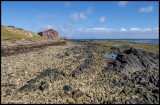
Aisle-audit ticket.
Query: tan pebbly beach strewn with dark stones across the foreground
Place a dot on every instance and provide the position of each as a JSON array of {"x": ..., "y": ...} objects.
[{"x": 72, "y": 74}]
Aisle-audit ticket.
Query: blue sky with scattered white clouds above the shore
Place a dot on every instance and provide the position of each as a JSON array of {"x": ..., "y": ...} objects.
[{"x": 85, "y": 19}]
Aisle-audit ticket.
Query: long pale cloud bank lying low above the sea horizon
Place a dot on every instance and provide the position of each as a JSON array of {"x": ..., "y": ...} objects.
[{"x": 105, "y": 33}]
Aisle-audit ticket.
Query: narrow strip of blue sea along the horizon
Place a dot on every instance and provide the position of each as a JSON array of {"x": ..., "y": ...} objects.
[{"x": 150, "y": 41}]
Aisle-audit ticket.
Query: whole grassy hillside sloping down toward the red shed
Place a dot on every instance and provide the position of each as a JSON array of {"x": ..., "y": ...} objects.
[{"x": 12, "y": 33}]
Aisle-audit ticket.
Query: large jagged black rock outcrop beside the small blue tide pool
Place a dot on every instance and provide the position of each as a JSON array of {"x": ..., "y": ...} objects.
[{"x": 132, "y": 60}]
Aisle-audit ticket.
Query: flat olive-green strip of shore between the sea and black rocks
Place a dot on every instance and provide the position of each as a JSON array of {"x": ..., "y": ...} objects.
[{"x": 144, "y": 46}]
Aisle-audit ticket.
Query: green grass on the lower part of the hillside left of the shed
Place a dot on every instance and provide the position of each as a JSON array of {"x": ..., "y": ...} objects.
[{"x": 7, "y": 35}]
